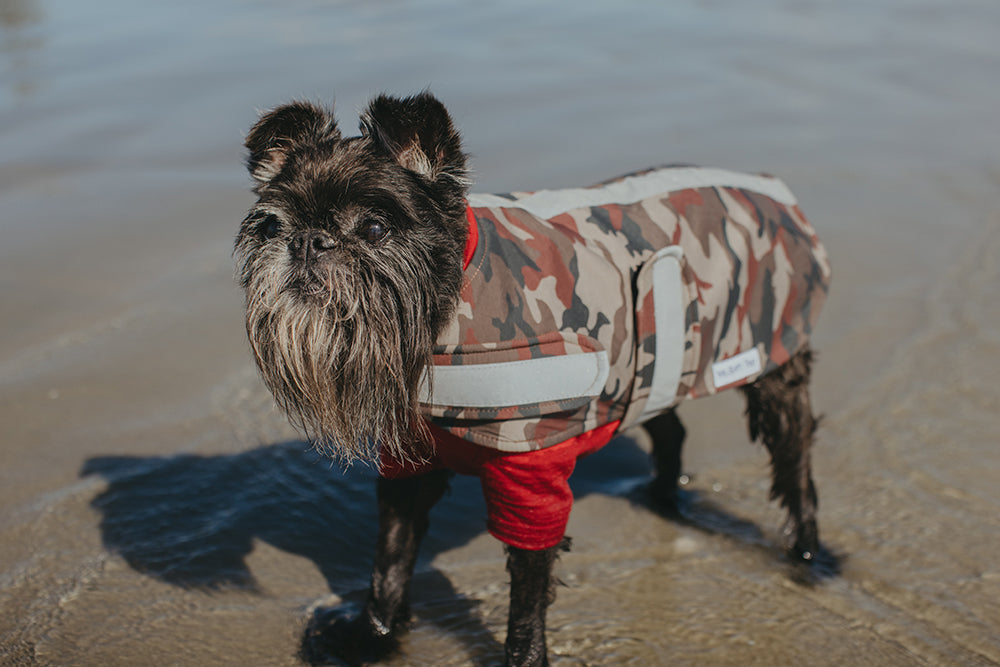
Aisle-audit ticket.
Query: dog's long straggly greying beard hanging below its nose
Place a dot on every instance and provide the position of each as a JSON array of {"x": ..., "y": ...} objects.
[{"x": 343, "y": 351}]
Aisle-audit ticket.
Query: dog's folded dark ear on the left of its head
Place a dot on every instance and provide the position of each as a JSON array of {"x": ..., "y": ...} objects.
[{"x": 271, "y": 138}]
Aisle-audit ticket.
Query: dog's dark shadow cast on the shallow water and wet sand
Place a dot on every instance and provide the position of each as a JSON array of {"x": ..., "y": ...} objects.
[{"x": 192, "y": 521}]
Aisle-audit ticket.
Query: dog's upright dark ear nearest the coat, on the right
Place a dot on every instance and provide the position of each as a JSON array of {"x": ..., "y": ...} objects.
[{"x": 417, "y": 132}]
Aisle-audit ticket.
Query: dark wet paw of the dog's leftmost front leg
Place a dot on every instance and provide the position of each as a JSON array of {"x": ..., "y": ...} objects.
[{"x": 346, "y": 635}]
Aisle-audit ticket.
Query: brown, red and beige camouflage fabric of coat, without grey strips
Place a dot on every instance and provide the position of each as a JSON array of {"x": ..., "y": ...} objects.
[{"x": 754, "y": 277}]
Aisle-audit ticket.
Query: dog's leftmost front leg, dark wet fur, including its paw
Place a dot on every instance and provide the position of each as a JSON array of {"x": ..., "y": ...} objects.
[{"x": 404, "y": 506}]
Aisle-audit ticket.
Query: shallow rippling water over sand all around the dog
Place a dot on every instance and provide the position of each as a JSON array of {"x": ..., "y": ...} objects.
[{"x": 157, "y": 510}]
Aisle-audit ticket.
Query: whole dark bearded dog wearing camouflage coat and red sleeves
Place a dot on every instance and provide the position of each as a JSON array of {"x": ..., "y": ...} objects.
[{"x": 401, "y": 321}]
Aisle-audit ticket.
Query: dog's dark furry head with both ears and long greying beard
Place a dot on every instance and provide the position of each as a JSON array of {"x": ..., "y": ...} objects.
[{"x": 351, "y": 264}]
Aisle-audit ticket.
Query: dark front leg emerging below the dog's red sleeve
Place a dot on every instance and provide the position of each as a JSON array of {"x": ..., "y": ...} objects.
[{"x": 531, "y": 592}]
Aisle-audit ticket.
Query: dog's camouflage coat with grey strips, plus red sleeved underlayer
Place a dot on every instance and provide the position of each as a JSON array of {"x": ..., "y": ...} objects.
[{"x": 586, "y": 311}]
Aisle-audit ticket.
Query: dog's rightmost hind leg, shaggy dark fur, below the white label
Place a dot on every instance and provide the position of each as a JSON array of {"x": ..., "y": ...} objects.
[{"x": 779, "y": 413}]
